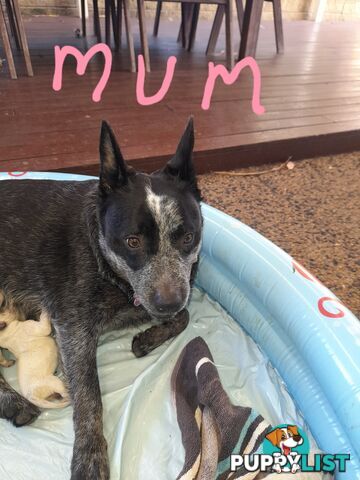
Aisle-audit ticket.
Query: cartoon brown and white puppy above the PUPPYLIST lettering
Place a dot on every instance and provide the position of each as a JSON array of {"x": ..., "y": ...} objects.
[{"x": 288, "y": 441}]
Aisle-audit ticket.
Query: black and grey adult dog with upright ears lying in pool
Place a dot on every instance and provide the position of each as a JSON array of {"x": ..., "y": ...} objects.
[{"x": 99, "y": 255}]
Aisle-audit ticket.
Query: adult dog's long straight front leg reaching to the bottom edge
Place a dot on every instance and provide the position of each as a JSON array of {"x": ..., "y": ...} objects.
[{"x": 77, "y": 343}]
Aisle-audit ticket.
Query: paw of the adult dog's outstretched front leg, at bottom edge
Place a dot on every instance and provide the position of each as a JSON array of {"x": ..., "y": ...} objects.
[{"x": 90, "y": 461}]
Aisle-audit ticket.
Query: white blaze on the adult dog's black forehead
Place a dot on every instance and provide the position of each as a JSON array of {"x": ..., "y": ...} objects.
[{"x": 165, "y": 211}]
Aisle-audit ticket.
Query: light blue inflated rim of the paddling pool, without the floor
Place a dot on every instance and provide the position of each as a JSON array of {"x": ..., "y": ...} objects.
[{"x": 310, "y": 337}]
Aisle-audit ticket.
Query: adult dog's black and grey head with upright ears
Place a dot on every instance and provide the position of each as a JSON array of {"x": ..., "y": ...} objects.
[{"x": 150, "y": 225}]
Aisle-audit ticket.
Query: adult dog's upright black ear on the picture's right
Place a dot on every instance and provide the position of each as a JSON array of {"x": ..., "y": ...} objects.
[{"x": 181, "y": 165}]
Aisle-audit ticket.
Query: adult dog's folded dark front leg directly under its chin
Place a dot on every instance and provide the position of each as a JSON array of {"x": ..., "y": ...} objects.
[{"x": 153, "y": 337}]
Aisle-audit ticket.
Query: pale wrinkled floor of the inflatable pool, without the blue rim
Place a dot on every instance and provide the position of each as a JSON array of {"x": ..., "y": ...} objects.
[{"x": 140, "y": 418}]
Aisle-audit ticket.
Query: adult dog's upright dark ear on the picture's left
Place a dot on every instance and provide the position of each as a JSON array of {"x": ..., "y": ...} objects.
[{"x": 113, "y": 169}]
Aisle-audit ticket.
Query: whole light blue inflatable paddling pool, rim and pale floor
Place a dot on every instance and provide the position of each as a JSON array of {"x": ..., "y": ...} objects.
[{"x": 298, "y": 350}]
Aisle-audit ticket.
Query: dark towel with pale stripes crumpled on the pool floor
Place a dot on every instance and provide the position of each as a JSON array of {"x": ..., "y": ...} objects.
[{"x": 211, "y": 427}]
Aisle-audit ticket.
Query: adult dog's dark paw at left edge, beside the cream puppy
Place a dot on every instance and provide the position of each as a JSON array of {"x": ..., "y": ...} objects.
[{"x": 14, "y": 407}]
